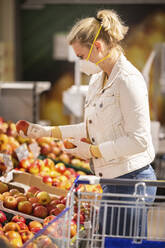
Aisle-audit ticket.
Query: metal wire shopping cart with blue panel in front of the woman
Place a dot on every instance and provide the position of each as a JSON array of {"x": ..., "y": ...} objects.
[{"x": 117, "y": 220}]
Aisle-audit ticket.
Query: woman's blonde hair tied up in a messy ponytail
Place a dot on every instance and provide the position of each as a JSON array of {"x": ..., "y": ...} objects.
[{"x": 112, "y": 32}]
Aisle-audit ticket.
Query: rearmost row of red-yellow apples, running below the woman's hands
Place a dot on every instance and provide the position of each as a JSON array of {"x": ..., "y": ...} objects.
[{"x": 10, "y": 141}]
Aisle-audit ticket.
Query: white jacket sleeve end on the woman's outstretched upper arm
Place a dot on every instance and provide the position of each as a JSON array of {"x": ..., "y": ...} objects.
[{"x": 76, "y": 131}]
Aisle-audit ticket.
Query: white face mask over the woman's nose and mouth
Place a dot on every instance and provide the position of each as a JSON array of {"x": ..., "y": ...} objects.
[{"x": 89, "y": 68}]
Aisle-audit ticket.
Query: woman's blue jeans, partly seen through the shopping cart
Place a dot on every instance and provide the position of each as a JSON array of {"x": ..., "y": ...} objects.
[{"x": 123, "y": 218}]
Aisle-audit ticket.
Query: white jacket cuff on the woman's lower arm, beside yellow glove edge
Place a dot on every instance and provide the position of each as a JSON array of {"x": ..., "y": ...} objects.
[{"x": 107, "y": 151}]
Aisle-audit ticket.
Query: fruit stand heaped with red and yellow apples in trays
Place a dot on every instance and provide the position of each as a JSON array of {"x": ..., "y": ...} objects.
[{"x": 36, "y": 176}]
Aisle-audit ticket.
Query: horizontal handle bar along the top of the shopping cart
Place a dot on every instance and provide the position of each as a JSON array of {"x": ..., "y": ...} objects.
[{"x": 128, "y": 182}]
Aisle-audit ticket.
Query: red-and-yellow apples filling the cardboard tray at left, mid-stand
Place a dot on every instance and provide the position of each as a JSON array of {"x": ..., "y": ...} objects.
[{"x": 34, "y": 202}]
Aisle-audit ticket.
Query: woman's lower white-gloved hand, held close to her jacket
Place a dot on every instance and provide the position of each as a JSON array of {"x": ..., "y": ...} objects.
[{"x": 82, "y": 149}]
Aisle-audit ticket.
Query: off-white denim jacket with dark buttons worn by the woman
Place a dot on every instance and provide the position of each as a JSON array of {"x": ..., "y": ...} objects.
[{"x": 117, "y": 119}]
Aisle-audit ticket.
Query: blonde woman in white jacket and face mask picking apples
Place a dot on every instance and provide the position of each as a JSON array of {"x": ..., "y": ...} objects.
[{"x": 116, "y": 119}]
